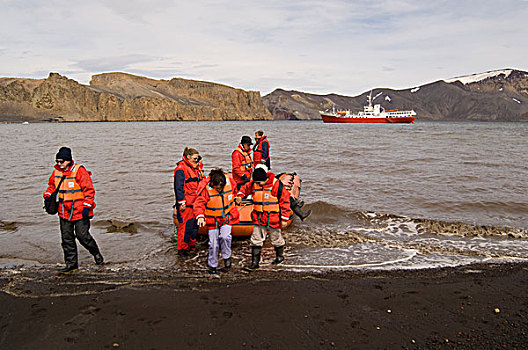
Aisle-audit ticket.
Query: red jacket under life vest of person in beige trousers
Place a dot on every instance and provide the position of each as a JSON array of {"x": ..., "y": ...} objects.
[{"x": 273, "y": 219}]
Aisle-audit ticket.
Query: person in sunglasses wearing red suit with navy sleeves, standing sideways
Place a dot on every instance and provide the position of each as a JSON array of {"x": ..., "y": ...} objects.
[{"x": 187, "y": 175}]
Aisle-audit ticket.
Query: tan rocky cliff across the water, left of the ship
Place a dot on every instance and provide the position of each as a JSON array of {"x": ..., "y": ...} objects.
[{"x": 125, "y": 97}]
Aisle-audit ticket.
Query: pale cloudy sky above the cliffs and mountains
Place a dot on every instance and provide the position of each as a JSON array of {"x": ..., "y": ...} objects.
[{"x": 330, "y": 46}]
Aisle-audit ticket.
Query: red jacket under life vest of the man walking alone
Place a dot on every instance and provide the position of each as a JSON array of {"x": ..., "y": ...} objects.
[{"x": 84, "y": 180}]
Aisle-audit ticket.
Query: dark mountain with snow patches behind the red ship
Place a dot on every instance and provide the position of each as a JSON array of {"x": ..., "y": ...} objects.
[{"x": 500, "y": 95}]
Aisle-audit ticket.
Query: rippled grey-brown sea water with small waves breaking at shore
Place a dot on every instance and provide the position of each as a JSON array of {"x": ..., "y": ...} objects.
[{"x": 382, "y": 196}]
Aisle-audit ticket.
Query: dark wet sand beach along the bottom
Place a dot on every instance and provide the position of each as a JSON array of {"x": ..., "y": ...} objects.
[{"x": 472, "y": 307}]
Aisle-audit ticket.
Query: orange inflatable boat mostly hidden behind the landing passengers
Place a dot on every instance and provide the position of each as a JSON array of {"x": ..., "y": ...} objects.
[{"x": 291, "y": 182}]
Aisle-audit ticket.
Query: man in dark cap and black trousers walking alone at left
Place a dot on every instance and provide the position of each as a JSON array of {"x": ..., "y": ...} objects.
[{"x": 76, "y": 204}]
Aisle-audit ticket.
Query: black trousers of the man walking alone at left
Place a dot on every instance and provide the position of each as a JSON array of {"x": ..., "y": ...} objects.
[{"x": 79, "y": 229}]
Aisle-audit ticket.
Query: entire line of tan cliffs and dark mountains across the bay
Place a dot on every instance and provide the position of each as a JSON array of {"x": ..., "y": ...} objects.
[{"x": 500, "y": 95}]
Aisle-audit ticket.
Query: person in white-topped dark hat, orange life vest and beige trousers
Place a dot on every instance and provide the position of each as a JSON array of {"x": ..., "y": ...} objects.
[{"x": 271, "y": 212}]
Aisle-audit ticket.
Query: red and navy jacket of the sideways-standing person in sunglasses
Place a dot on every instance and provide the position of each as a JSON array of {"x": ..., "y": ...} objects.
[{"x": 186, "y": 180}]
